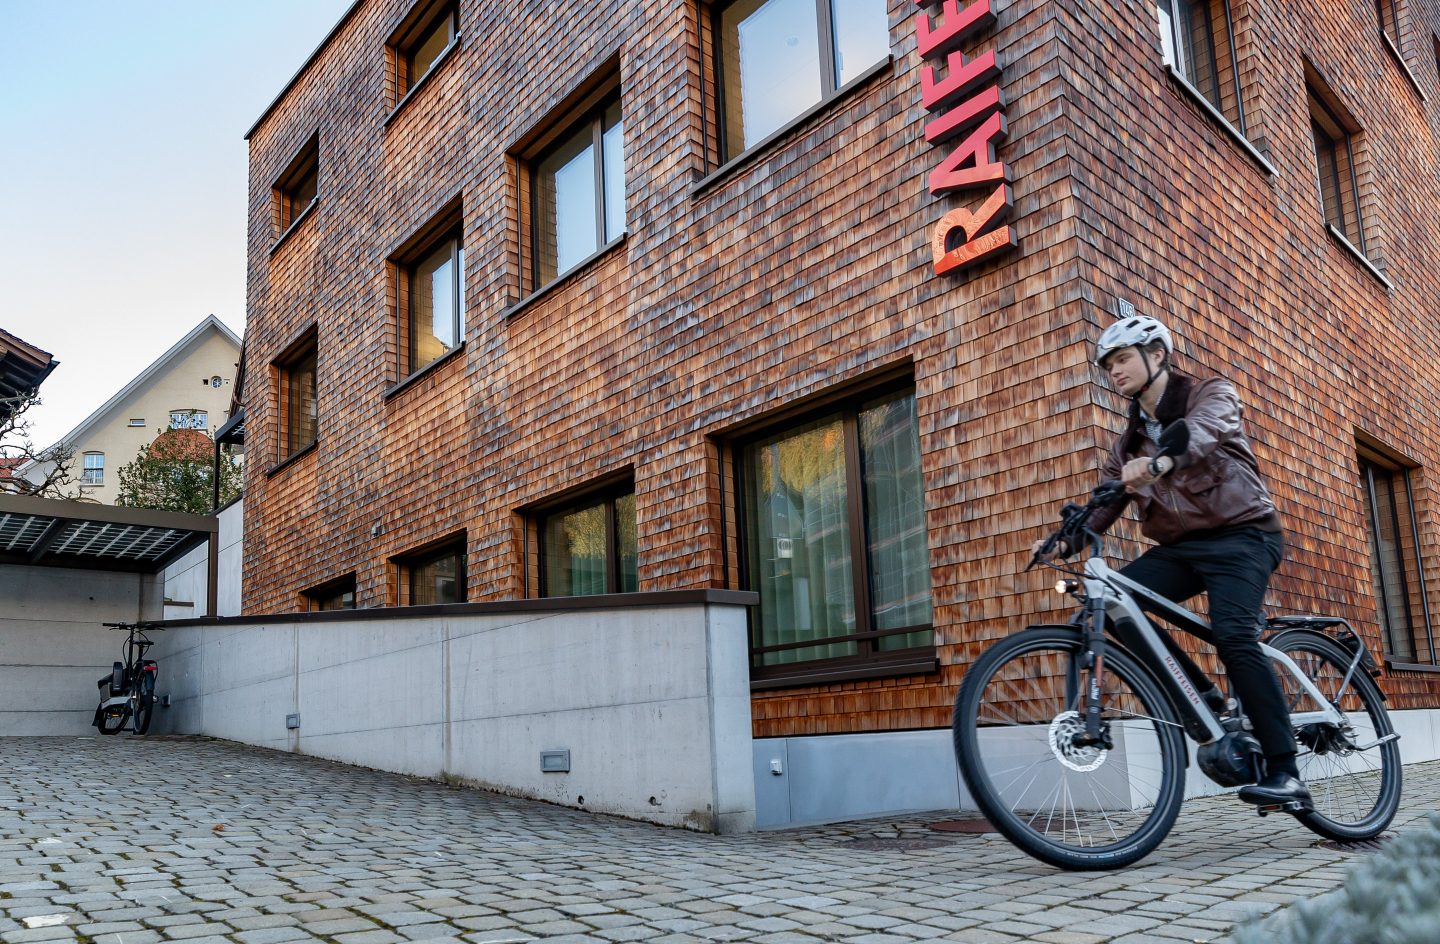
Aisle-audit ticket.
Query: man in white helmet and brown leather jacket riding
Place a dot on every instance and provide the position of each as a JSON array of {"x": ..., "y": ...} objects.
[{"x": 1213, "y": 520}]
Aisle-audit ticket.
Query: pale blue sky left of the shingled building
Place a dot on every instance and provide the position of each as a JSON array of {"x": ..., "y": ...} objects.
[{"x": 123, "y": 175}]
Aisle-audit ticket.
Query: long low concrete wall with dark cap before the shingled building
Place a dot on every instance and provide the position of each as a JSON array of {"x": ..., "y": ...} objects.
[{"x": 652, "y": 703}]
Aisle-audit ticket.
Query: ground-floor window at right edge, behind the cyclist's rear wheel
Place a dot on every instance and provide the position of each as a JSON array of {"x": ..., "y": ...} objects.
[{"x": 1395, "y": 558}]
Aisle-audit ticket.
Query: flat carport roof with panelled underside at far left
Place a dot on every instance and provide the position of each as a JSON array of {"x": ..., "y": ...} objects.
[{"x": 53, "y": 533}]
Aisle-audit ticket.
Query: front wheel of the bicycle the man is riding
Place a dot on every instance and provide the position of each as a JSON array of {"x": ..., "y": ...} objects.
[{"x": 1012, "y": 710}]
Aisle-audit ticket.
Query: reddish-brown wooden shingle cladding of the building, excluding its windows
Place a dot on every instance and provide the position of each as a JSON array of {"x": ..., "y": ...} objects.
[{"x": 810, "y": 267}]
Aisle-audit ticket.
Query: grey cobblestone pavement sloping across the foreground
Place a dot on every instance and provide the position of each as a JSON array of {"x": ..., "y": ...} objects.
[{"x": 207, "y": 843}]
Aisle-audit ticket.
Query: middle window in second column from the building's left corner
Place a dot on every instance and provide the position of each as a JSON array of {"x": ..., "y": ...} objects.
[{"x": 431, "y": 301}]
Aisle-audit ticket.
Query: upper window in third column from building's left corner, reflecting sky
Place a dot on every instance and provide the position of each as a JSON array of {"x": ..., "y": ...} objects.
[{"x": 578, "y": 186}]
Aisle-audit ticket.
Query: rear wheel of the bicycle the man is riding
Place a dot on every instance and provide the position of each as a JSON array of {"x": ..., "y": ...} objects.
[{"x": 1356, "y": 794}]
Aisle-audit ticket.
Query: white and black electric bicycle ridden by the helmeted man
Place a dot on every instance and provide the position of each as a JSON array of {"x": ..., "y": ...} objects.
[{"x": 1072, "y": 737}]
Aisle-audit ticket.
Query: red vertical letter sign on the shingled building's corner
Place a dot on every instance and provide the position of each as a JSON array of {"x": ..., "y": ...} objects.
[{"x": 974, "y": 113}]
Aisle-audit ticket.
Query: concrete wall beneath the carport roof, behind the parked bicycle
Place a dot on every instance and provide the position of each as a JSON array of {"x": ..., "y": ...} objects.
[{"x": 53, "y": 645}]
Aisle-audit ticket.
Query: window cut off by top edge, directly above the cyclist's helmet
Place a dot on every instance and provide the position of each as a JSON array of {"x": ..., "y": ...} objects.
[{"x": 1199, "y": 42}]
